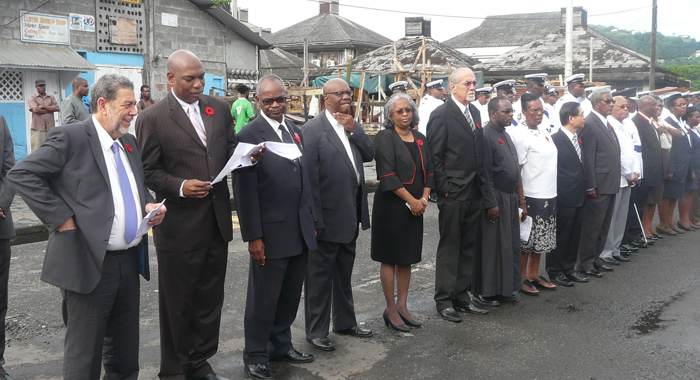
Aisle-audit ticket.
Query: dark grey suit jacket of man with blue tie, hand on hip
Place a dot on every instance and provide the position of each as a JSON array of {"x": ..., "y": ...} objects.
[{"x": 67, "y": 177}]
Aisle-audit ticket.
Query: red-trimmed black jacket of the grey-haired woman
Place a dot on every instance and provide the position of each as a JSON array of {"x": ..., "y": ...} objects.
[{"x": 395, "y": 165}]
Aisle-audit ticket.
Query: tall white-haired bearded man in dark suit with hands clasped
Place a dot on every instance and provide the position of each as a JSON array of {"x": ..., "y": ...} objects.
[{"x": 455, "y": 140}]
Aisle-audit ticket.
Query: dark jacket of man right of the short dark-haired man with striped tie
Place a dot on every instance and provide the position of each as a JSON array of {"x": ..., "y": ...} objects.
[{"x": 601, "y": 156}]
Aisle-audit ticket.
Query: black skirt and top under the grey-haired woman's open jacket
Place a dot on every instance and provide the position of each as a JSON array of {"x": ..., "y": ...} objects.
[{"x": 397, "y": 235}]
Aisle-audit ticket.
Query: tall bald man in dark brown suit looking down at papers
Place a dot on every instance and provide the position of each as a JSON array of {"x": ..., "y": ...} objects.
[{"x": 186, "y": 140}]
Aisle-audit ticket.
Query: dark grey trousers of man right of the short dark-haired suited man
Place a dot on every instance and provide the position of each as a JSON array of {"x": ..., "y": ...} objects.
[{"x": 597, "y": 214}]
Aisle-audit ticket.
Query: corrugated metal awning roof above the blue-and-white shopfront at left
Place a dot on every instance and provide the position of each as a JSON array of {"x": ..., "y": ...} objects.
[{"x": 43, "y": 57}]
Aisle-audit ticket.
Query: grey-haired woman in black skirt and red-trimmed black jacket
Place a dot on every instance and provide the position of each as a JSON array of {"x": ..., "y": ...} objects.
[{"x": 405, "y": 175}]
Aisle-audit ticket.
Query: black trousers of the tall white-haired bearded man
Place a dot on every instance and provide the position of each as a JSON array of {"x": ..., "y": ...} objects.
[{"x": 460, "y": 242}]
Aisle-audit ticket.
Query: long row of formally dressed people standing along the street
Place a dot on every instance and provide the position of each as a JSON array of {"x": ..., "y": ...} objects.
[{"x": 513, "y": 180}]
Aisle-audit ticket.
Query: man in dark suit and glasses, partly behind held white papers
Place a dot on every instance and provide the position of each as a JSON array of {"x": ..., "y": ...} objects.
[{"x": 276, "y": 213}]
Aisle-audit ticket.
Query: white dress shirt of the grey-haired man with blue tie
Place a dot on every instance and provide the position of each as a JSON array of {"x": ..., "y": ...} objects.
[{"x": 116, "y": 236}]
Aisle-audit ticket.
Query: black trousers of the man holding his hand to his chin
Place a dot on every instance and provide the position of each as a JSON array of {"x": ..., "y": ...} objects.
[{"x": 328, "y": 286}]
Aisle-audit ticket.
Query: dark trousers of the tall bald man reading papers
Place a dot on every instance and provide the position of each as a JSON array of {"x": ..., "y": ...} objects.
[{"x": 190, "y": 297}]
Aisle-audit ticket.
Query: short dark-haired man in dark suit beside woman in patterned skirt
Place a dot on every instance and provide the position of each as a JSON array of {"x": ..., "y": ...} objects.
[{"x": 571, "y": 193}]
